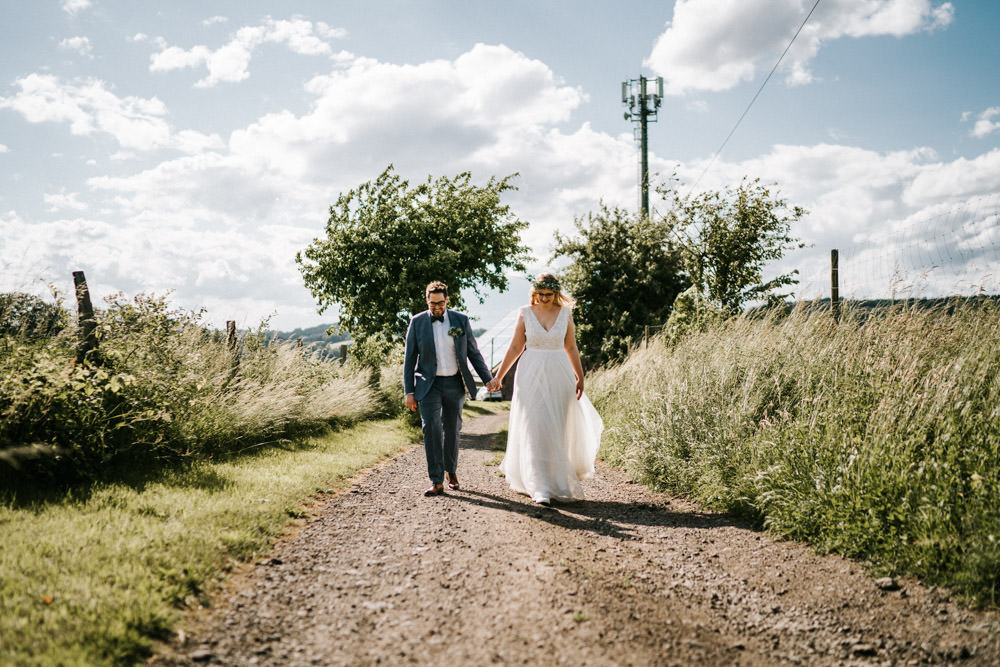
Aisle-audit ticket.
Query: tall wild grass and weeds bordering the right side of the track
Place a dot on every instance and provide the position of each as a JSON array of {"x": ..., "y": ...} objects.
[{"x": 877, "y": 438}]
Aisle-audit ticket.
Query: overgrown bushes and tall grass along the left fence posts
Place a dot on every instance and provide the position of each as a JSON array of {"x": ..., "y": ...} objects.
[{"x": 159, "y": 386}]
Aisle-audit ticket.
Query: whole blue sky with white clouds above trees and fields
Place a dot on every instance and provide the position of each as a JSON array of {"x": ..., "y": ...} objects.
[{"x": 195, "y": 147}]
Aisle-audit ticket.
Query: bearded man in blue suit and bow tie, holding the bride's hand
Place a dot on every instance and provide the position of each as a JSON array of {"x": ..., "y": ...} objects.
[{"x": 436, "y": 376}]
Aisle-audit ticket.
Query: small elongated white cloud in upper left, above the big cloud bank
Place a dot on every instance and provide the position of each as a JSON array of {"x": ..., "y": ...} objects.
[{"x": 229, "y": 63}]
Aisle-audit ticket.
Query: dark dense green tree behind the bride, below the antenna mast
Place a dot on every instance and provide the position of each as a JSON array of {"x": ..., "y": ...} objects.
[{"x": 624, "y": 275}]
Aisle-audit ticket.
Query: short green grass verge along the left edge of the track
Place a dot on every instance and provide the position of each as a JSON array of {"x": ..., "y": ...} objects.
[{"x": 97, "y": 575}]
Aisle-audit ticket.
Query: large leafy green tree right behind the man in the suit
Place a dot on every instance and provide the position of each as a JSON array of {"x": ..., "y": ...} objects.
[{"x": 385, "y": 240}]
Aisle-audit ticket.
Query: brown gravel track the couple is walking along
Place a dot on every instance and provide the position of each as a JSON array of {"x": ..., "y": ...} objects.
[{"x": 382, "y": 575}]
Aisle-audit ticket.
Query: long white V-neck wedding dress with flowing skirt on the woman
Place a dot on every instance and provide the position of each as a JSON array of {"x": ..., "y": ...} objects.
[{"x": 552, "y": 438}]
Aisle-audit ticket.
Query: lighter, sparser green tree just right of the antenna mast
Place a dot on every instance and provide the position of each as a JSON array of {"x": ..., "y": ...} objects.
[{"x": 726, "y": 238}]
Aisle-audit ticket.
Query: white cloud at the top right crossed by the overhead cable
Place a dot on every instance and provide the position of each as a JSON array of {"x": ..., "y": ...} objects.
[{"x": 716, "y": 44}]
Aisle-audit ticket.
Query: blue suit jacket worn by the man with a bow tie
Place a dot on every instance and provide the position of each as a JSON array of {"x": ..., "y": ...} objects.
[{"x": 420, "y": 361}]
